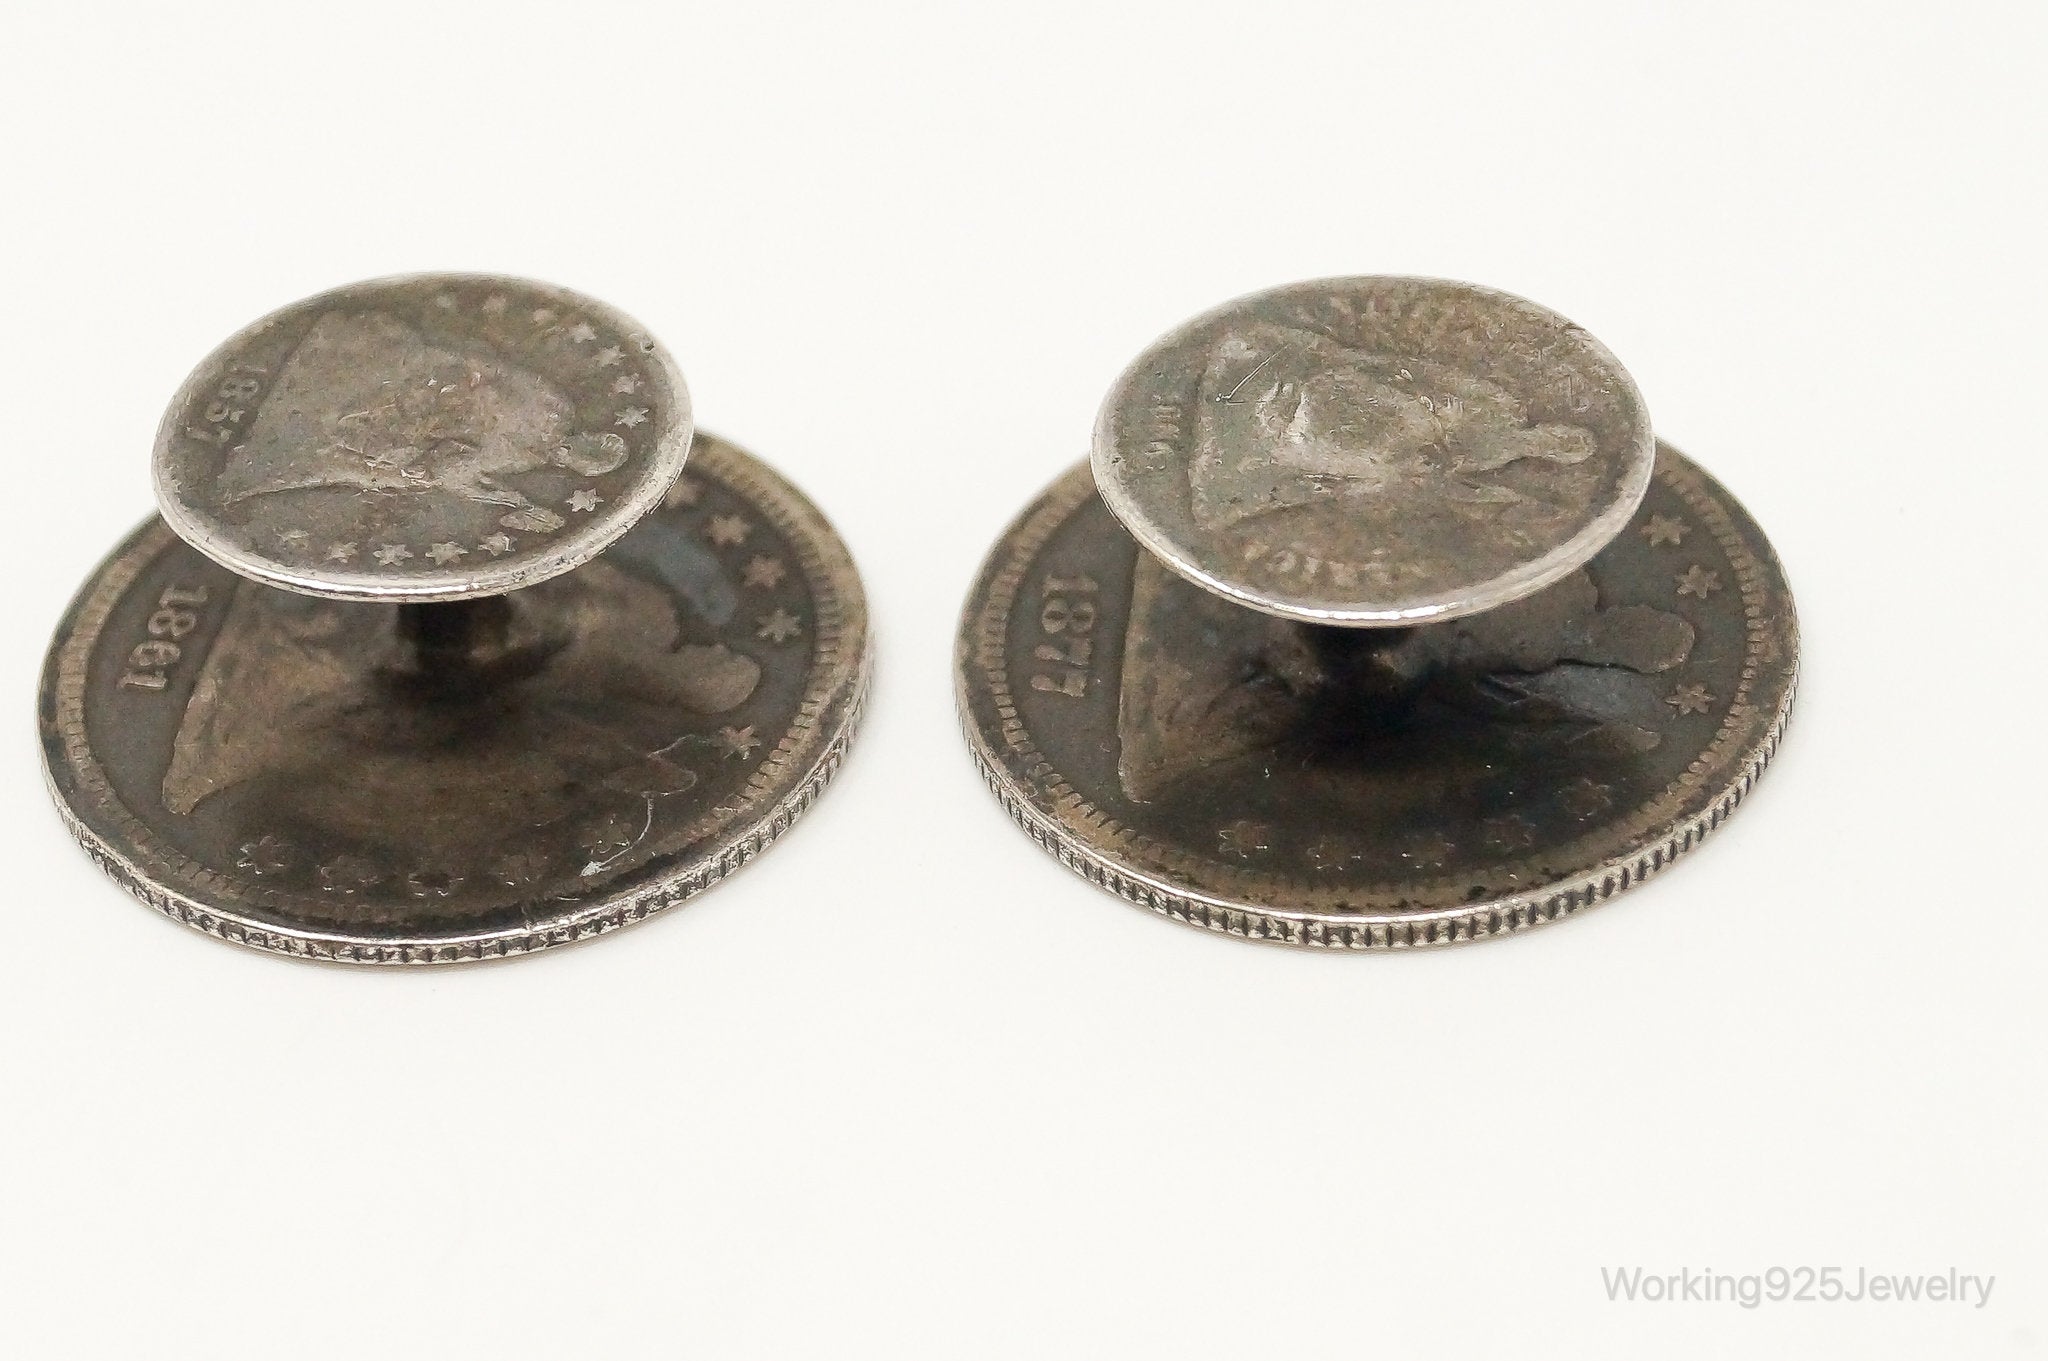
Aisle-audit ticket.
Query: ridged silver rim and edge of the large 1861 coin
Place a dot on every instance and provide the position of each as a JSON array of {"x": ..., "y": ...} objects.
[{"x": 833, "y": 707}]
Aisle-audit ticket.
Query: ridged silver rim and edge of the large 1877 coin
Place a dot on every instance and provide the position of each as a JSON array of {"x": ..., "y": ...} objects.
[{"x": 1349, "y": 930}]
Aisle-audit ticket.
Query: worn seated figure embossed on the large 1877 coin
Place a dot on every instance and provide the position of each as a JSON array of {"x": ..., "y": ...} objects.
[{"x": 1207, "y": 683}]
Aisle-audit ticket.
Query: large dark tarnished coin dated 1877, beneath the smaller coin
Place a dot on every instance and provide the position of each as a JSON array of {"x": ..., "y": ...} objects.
[{"x": 1371, "y": 789}]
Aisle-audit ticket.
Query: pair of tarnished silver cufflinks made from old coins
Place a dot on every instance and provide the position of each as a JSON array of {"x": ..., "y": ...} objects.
[{"x": 1377, "y": 619}]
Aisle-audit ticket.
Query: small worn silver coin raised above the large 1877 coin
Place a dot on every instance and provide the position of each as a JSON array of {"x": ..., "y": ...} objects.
[{"x": 1375, "y": 451}]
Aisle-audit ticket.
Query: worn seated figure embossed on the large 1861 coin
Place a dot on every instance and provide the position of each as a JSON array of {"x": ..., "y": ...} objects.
[{"x": 318, "y": 717}]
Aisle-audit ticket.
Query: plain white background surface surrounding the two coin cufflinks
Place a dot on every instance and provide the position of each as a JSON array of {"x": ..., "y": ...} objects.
[{"x": 906, "y": 1088}]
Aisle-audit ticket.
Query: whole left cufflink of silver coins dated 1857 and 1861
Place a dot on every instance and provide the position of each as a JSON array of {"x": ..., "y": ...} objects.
[{"x": 384, "y": 764}]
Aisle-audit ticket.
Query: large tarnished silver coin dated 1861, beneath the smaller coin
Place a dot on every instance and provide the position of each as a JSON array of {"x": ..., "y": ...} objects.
[{"x": 284, "y": 773}]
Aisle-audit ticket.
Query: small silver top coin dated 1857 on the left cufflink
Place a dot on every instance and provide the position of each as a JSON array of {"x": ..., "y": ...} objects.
[{"x": 433, "y": 437}]
